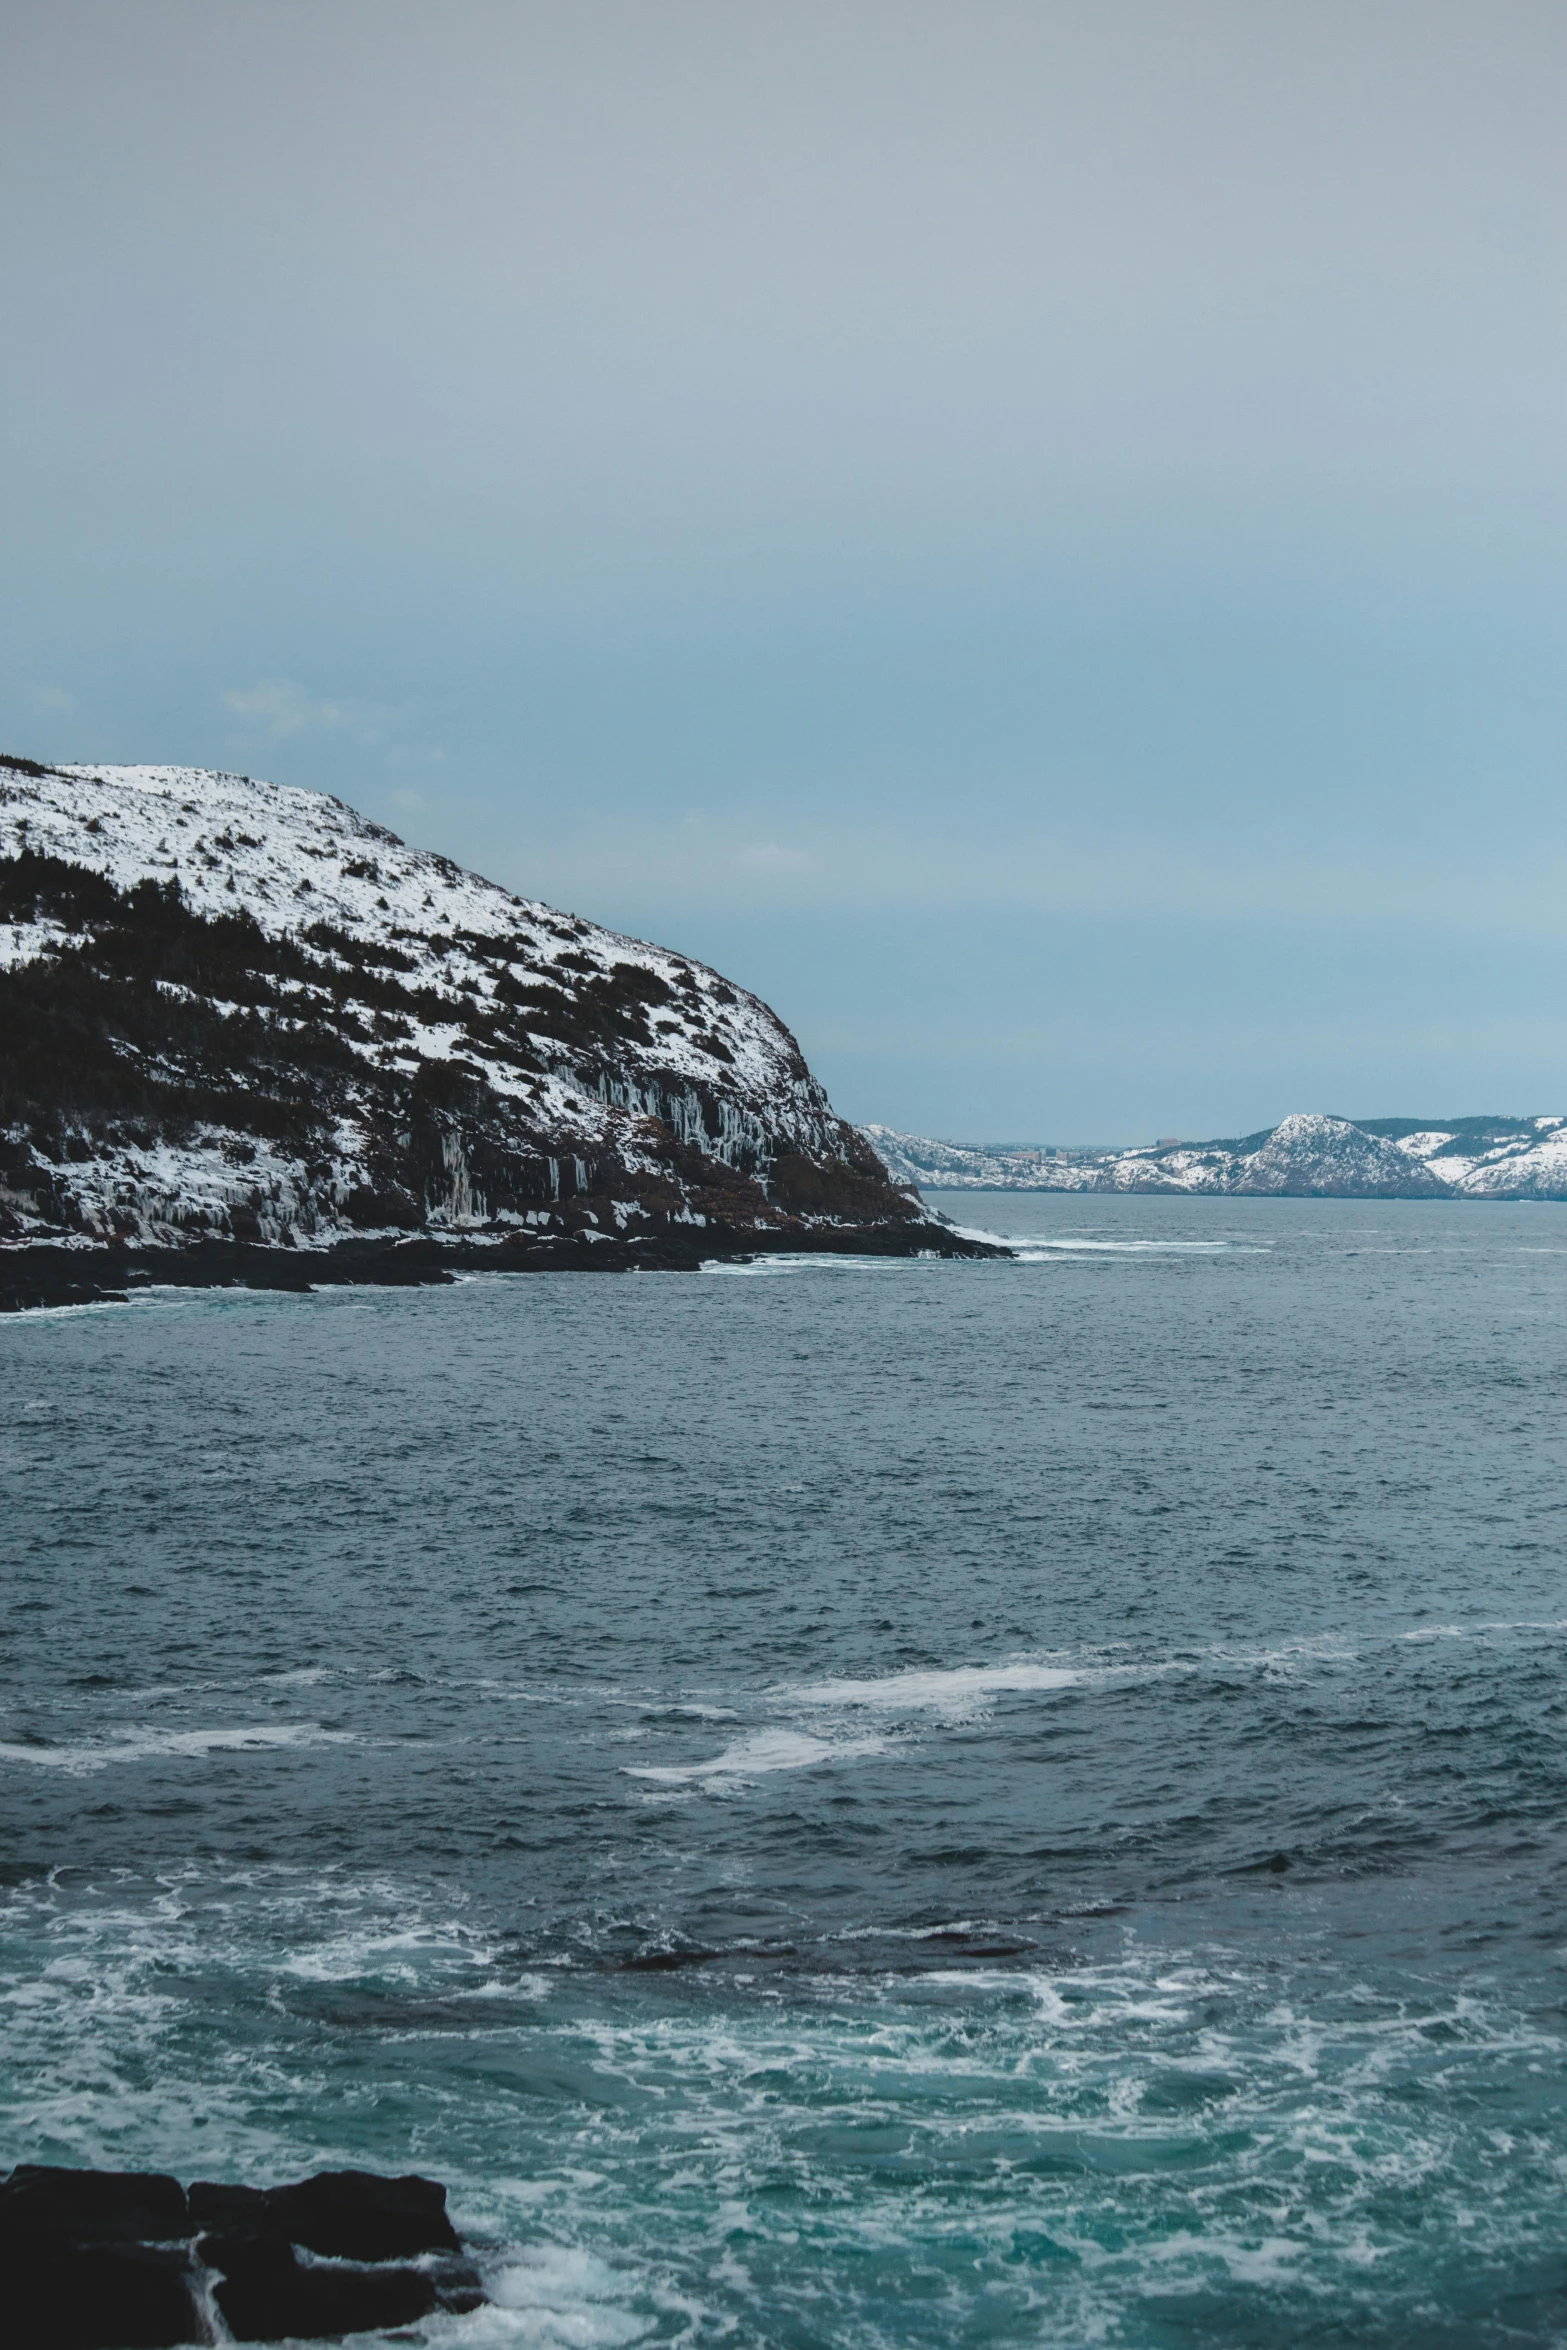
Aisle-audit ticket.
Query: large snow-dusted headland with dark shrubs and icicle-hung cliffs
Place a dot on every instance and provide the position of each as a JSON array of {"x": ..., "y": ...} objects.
[{"x": 241, "y": 1012}]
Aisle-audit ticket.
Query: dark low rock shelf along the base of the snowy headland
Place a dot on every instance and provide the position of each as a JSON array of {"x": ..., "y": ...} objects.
[{"x": 60, "y": 1275}]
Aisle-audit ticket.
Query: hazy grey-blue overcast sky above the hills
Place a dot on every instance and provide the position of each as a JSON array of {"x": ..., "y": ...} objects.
[{"x": 1030, "y": 535}]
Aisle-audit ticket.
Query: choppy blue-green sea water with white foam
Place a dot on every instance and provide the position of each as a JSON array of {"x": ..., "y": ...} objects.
[{"x": 835, "y": 1804}]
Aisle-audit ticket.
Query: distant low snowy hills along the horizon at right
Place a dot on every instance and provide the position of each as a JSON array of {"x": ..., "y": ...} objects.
[{"x": 1305, "y": 1157}]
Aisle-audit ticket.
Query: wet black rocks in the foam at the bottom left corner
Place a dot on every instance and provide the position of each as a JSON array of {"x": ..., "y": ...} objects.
[{"x": 140, "y": 2262}]
